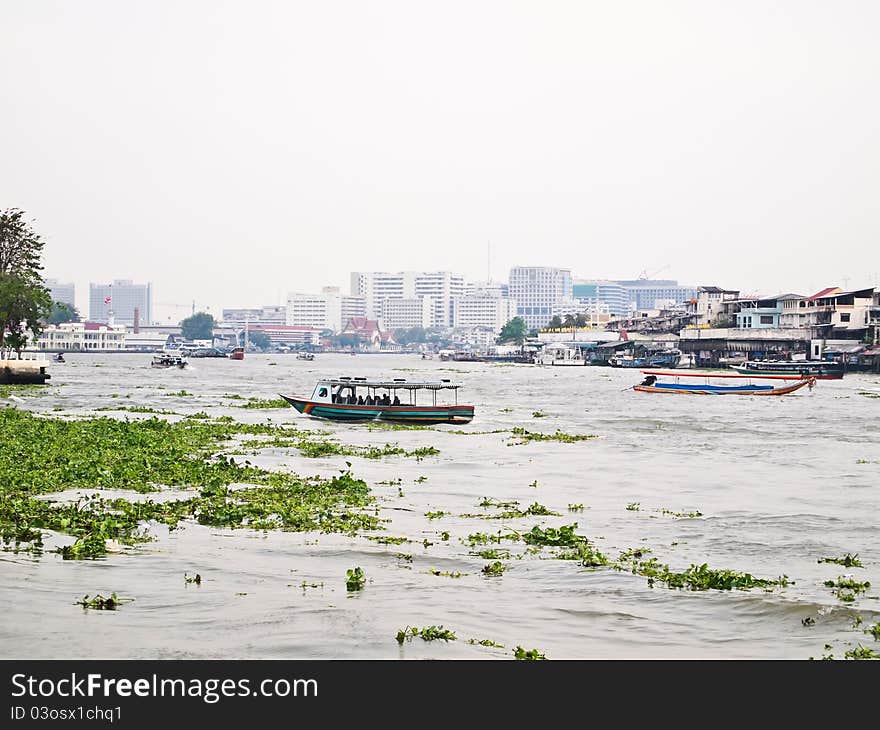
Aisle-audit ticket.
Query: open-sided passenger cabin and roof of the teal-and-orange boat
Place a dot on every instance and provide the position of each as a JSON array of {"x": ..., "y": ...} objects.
[{"x": 396, "y": 392}]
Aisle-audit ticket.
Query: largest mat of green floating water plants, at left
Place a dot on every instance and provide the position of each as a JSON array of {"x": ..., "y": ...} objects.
[{"x": 44, "y": 455}]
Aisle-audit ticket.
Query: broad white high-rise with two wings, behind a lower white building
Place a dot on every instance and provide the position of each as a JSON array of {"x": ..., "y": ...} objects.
[{"x": 441, "y": 286}]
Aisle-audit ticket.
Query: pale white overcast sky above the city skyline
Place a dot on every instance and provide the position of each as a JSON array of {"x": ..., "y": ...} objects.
[{"x": 232, "y": 152}]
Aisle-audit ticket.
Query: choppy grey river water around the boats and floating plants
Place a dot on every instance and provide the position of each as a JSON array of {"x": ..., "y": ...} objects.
[{"x": 780, "y": 483}]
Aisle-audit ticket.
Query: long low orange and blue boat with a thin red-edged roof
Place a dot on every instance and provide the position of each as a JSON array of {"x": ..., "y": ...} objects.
[{"x": 731, "y": 385}]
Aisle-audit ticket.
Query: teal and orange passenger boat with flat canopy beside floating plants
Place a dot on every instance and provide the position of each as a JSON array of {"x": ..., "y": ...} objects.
[{"x": 360, "y": 399}]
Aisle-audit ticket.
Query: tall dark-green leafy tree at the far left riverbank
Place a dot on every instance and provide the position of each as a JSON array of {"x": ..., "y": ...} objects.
[{"x": 24, "y": 300}]
